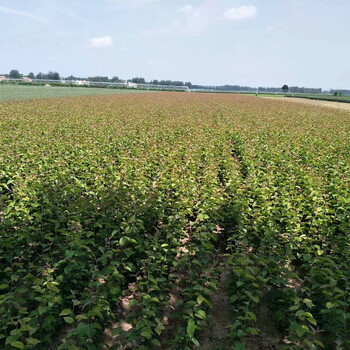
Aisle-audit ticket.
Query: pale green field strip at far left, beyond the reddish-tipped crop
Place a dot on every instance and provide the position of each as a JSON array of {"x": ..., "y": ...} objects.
[{"x": 21, "y": 92}]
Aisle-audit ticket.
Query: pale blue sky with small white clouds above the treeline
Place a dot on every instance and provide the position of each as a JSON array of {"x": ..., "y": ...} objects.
[{"x": 211, "y": 42}]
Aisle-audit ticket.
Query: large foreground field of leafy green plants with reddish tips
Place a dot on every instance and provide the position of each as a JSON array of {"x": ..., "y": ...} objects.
[{"x": 120, "y": 214}]
